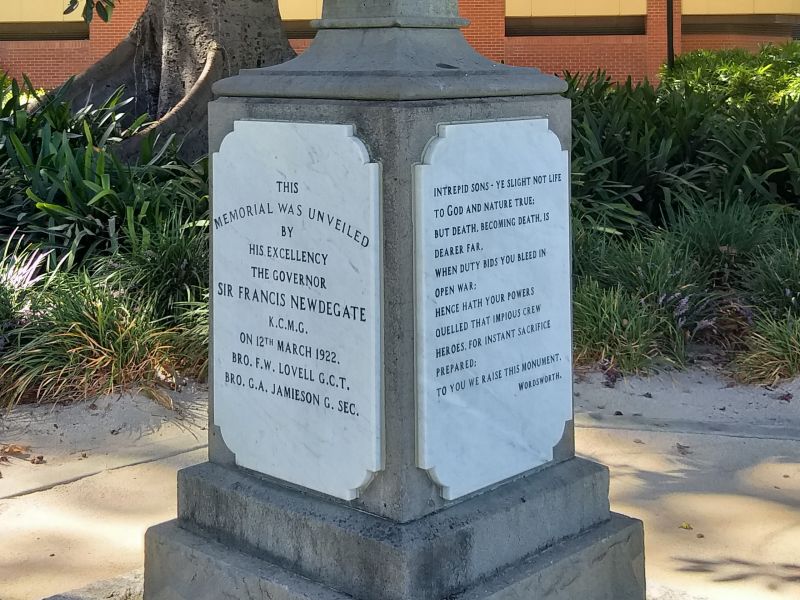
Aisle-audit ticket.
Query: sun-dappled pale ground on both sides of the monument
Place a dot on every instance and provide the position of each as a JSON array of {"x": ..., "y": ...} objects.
[{"x": 712, "y": 469}]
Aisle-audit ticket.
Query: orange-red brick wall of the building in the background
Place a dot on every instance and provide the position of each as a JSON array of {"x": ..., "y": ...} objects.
[{"x": 639, "y": 56}]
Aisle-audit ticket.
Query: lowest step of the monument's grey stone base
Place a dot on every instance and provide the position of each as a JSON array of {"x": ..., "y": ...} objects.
[{"x": 603, "y": 563}]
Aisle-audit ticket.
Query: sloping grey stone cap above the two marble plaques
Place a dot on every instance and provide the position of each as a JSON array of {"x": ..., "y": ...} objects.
[{"x": 337, "y": 66}]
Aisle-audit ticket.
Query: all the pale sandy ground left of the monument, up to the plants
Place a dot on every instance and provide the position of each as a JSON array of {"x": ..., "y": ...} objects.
[{"x": 108, "y": 474}]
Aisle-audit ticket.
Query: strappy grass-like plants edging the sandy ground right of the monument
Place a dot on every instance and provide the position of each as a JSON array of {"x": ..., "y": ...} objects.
[{"x": 691, "y": 290}]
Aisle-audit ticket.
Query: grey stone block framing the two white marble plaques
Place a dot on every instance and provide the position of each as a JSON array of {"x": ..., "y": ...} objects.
[{"x": 396, "y": 134}]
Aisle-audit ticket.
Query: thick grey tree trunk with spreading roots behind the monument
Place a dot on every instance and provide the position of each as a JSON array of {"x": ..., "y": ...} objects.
[{"x": 175, "y": 52}]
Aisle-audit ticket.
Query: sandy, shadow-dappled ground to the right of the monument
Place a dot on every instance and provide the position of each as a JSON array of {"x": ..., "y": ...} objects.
[{"x": 714, "y": 473}]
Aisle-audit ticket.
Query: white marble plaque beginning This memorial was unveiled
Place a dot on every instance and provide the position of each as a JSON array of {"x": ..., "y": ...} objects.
[{"x": 297, "y": 304}]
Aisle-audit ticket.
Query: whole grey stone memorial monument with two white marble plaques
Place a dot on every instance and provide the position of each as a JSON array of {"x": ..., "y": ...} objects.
[{"x": 391, "y": 385}]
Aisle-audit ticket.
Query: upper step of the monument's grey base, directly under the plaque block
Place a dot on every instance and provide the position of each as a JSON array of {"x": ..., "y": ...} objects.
[{"x": 426, "y": 559}]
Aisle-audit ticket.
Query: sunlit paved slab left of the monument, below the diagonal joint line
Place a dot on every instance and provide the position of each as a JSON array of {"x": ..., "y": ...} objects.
[{"x": 72, "y": 535}]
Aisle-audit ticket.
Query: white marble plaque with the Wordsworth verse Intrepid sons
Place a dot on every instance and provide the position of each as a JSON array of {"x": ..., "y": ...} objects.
[{"x": 494, "y": 315}]
